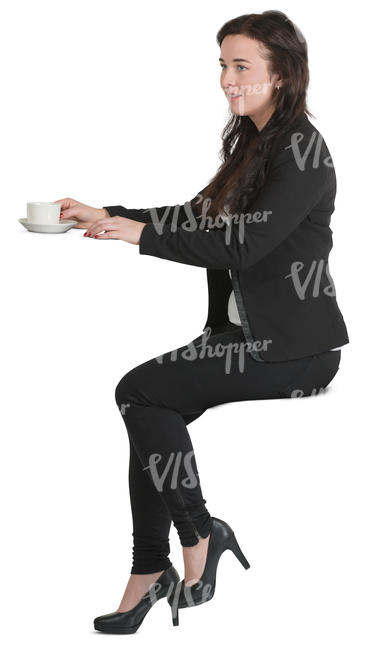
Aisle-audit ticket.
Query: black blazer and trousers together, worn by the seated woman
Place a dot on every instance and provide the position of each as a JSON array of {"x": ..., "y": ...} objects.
[{"x": 290, "y": 323}]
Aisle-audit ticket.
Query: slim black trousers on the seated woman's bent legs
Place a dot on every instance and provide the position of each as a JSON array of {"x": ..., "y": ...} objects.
[{"x": 160, "y": 397}]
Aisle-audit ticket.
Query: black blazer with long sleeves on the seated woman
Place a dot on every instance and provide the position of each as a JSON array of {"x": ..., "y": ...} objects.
[{"x": 277, "y": 252}]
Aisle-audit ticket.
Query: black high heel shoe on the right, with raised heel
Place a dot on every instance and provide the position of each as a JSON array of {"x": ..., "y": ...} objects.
[{"x": 221, "y": 538}]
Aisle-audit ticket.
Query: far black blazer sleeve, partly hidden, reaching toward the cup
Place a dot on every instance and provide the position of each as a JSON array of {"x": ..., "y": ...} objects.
[{"x": 172, "y": 214}]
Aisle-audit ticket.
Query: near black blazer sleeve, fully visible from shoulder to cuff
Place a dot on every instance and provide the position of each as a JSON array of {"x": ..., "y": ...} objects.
[{"x": 287, "y": 197}]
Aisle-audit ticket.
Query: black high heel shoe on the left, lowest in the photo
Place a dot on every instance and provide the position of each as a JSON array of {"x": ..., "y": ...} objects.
[{"x": 129, "y": 622}]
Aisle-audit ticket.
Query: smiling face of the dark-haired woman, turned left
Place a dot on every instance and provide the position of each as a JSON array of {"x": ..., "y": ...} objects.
[{"x": 245, "y": 73}]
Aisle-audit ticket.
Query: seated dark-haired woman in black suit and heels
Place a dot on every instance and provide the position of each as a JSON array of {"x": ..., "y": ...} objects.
[{"x": 261, "y": 229}]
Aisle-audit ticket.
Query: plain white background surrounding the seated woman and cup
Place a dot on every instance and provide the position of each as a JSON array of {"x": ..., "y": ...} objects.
[{"x": 120, "y": 103}]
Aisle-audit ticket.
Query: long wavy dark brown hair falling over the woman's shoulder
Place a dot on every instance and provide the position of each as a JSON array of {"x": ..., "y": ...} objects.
[{"x": 246, "y": 150}]
